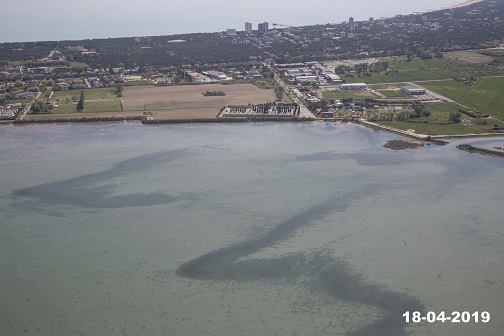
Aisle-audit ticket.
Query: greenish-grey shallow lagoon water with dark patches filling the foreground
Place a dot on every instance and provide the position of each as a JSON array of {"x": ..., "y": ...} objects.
[{"x": 256, "y": 229}]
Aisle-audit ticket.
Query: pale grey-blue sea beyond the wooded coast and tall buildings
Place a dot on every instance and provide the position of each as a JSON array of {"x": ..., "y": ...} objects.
[{"x": 63, "y": 20}]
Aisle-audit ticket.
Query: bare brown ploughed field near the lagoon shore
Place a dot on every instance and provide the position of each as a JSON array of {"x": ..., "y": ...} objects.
[{"x": 187, "y": 101}]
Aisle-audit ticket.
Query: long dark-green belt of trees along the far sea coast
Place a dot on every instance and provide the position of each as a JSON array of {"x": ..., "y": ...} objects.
[{"x": 214, "y": 48}]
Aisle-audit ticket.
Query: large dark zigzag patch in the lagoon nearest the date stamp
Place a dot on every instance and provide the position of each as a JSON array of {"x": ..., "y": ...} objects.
[{"x": 319, "y": 272}]
